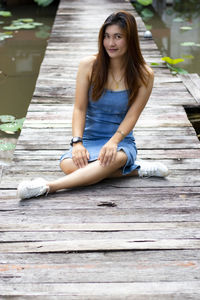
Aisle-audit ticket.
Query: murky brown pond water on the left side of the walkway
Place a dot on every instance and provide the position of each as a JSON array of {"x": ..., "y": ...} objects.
[{"x": 20, "y": 60}]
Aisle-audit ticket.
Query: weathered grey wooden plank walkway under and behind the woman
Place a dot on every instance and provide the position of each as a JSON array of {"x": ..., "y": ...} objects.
[{"x": 69, "y": 246}]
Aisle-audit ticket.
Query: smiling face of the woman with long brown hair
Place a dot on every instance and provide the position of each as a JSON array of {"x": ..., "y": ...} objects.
[{"x": 115, "y": 41}]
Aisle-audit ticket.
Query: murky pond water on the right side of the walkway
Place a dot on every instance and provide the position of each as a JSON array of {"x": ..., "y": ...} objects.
[{"x": 173, "y": 25}]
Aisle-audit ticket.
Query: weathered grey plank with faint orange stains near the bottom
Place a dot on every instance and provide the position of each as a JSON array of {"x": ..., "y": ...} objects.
[{"x": 91, "y": 271}]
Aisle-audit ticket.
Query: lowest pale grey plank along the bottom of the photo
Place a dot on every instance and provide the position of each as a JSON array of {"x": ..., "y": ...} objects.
[{"x": 111, "y": 290}]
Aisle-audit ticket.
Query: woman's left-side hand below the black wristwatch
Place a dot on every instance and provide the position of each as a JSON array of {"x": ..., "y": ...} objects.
[{"x": 80, "y": 155}]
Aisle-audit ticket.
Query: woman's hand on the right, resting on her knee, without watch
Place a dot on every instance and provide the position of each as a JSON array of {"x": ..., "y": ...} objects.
[{"x": 108, "y": 153}]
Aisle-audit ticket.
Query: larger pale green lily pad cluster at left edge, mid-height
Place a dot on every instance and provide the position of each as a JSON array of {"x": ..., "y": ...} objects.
[{"x": 10, "y": 124}]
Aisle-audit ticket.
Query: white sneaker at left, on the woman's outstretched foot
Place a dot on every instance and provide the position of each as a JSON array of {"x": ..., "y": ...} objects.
[{"x": 32, "y": 188}]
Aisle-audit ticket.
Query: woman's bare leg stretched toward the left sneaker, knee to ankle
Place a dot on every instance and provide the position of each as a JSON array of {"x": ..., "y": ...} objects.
[{"x": 88, "y": 175}]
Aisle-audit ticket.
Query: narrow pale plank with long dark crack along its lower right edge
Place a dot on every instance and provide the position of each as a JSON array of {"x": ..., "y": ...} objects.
[{"x": 99, "y": 245}]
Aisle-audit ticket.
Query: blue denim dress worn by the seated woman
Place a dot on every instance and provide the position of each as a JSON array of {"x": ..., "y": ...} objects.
[{"x": 103, "y": 118}]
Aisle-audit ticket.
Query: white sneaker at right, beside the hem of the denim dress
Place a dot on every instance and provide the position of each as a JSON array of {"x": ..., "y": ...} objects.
[{"x": 149, "y": 169}]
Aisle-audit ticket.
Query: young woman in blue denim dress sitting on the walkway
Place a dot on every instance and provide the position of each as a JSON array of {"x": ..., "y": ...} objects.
[{"x": 112, "y": 89}]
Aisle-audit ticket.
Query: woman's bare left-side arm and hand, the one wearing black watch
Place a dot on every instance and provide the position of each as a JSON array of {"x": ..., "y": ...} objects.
[{"x": 80, "y": 154}]
